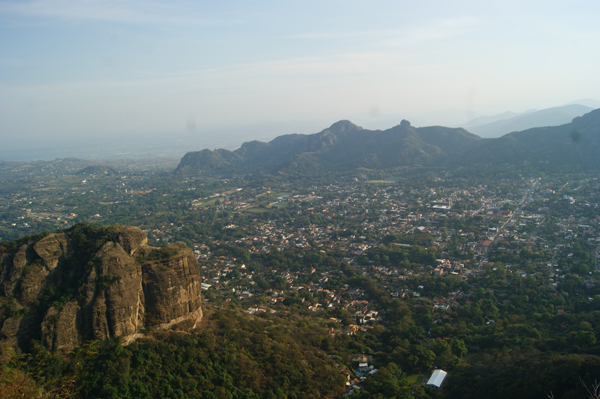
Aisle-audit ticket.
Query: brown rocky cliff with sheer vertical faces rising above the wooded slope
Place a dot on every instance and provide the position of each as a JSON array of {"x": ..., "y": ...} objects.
[{"x": 94, "y": 283}]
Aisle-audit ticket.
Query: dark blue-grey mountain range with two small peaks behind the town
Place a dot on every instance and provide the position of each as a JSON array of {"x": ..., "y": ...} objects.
[{"x": 344, "y": 146}]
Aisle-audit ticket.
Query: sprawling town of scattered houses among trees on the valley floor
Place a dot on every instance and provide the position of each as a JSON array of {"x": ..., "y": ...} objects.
[{"x": 473, "y": 254}]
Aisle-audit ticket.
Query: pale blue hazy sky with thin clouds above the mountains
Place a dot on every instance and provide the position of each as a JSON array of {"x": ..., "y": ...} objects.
[{"x": 204, "y": 74}]
